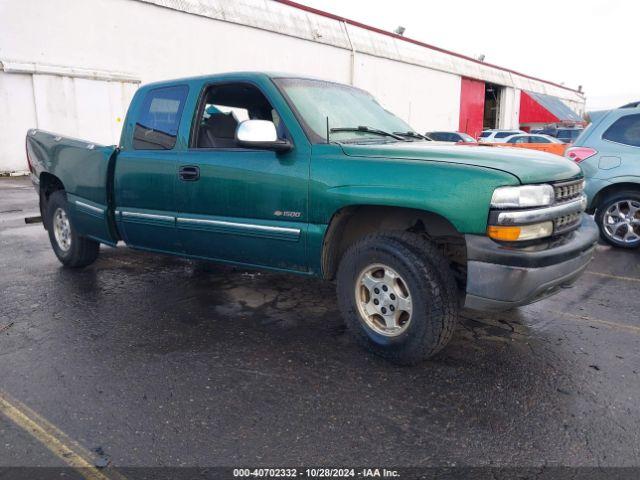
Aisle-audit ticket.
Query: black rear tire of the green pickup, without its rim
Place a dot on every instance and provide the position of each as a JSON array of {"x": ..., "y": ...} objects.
[{"x": 81, "y": 251}]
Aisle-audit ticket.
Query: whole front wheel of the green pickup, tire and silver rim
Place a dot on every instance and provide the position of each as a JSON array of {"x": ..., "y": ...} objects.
[{"x": 398, "y": 296}]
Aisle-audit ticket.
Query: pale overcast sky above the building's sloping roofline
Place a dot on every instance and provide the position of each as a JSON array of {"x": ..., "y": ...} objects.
[{"x": 592, "y": 43}]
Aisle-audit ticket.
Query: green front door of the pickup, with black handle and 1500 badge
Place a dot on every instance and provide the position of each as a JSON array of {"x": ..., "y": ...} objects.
[{"x": 237, "y": 204}]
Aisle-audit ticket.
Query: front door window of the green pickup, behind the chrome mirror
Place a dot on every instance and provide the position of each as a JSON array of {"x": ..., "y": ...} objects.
[{"x": 223, "y": 108}]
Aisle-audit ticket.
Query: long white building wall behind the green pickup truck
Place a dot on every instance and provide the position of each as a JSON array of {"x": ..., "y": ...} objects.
[{"x": 73, "y": 67}]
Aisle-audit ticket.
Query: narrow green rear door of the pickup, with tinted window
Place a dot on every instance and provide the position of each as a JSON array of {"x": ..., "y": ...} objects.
[{"x": 146, "y": 170}]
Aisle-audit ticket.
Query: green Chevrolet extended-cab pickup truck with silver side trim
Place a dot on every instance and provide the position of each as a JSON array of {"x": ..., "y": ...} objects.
[{"x": 313, "y": 177}]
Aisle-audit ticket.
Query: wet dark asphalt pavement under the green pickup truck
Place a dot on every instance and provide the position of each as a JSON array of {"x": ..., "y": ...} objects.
[{"x": 167, "y": 362}]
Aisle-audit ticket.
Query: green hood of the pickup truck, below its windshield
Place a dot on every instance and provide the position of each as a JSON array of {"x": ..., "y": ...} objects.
[{"x": 529, "y": 166}]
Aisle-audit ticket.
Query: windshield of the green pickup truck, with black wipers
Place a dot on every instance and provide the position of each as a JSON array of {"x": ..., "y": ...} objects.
[{"x": 346, "y": 107}]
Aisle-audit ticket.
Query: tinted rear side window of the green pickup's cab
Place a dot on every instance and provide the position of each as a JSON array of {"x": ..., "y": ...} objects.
[{"x": 159, "y": 118}]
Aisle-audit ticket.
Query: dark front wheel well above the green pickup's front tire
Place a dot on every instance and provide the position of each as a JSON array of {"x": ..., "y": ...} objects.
[{"x": 350, "y": 224}]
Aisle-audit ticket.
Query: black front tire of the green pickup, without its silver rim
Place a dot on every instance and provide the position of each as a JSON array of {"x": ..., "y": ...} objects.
[{"x": 430, "y": 282}]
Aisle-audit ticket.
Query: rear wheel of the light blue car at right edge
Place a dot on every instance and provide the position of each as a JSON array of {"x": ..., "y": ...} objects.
[{"x": 618, "y": 218}]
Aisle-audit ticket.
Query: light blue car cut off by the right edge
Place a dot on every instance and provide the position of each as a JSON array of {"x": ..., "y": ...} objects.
[{"x": 609, "y": 153}]
